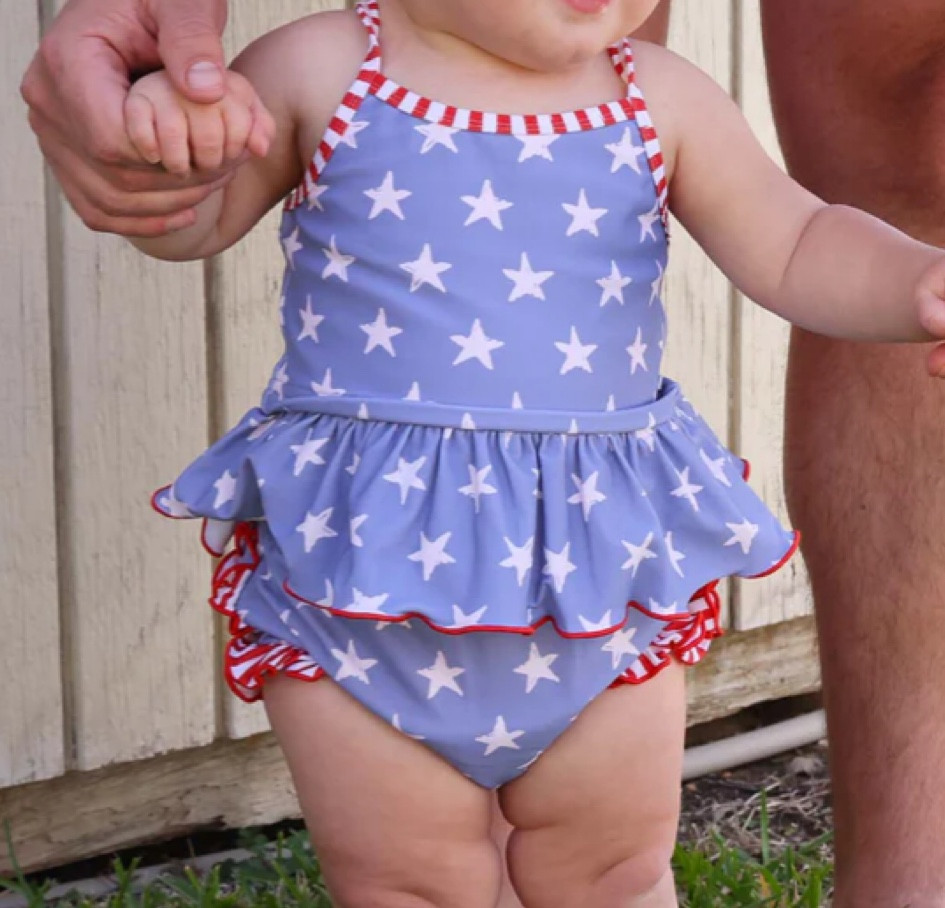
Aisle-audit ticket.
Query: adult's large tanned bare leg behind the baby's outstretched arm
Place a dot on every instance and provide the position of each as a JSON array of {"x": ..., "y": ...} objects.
[{"x": 859, "y": 94}]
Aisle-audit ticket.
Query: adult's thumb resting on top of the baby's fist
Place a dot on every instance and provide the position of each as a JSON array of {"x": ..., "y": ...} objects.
[{"x": 189, "y": 43}]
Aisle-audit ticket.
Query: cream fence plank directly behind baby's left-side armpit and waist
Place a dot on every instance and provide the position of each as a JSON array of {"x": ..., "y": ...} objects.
[{"x": 245, "y": 338}]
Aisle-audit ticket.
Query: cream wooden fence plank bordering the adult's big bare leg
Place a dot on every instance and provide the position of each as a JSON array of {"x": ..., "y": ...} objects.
[{"x": 761, "y": 357}]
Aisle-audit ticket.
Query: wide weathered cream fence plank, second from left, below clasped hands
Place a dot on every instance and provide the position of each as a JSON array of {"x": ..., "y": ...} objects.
[{"x": 134, "y": 412}]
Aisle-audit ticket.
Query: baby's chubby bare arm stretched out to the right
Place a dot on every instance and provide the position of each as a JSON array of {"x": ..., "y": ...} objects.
[{"x": 830, "y": 269}]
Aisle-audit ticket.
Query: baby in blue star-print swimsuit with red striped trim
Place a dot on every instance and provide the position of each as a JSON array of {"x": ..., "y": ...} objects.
[{"x": 468, "y": 498}]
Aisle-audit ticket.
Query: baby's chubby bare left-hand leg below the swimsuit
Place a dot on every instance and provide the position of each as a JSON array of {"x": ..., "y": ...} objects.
[{"x": 394, "y": 825}]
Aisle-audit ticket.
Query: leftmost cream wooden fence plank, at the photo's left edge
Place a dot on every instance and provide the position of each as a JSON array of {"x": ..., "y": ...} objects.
[{"x": 31, "y": 721}]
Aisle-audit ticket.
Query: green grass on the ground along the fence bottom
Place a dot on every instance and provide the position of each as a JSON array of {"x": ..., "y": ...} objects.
[{"x": 284, "y": 874}]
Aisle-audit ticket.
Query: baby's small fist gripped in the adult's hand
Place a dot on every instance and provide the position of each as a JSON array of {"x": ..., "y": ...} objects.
[{"x": 166, "y": 128}]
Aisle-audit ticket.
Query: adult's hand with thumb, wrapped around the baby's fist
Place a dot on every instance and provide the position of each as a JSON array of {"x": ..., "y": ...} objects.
[{"x": 76, "y": 87}]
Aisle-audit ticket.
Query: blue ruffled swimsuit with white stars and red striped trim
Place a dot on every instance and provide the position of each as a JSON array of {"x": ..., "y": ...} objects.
[{"x": 468, "y": 496}]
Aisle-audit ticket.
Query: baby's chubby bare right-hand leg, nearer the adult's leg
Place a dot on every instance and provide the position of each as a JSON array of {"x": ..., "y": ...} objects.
[{"x": 596, "y": 817}]
